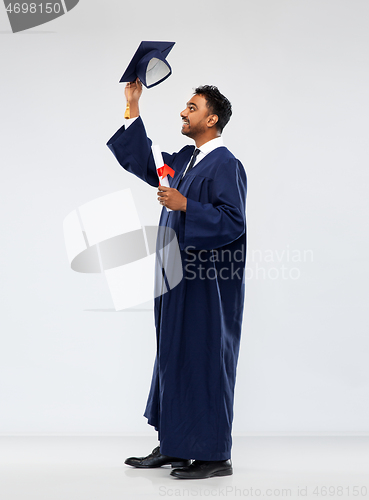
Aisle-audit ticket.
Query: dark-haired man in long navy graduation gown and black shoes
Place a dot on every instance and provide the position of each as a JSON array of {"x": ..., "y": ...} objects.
[{"x": 198, "y": 322}]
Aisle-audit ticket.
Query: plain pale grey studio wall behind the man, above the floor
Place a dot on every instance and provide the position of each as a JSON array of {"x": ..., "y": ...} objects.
[{"x": 297, "y": 75}]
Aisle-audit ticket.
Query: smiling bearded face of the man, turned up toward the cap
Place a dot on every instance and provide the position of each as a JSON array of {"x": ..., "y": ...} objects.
[{"x": 195, "y": 117}]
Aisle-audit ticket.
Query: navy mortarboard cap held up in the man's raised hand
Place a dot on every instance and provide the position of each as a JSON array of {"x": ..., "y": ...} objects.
[{"x": 149, "y": 64}]
